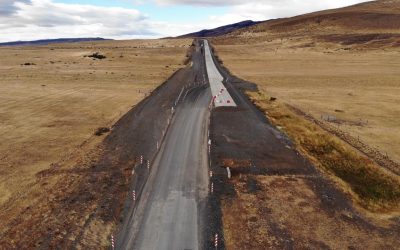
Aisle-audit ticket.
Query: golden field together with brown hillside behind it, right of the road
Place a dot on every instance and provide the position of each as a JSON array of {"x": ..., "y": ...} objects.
[{"x": 340, "y": 65}]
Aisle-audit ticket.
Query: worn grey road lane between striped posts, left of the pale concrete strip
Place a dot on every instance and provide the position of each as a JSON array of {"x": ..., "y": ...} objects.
[{"x": 169, "y": 214}]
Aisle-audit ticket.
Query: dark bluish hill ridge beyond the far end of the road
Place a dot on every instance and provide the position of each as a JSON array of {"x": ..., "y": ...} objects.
[{"x": 223, "y": 30}]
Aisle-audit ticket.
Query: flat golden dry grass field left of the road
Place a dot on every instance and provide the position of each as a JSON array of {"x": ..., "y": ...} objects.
[{"x": 53, "y": 98}]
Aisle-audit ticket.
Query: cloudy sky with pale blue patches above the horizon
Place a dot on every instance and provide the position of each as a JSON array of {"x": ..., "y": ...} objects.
[{"x": 127, "y": 19}]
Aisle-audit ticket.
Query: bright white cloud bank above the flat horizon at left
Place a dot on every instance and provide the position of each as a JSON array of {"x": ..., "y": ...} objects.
[{"x": 41, "y": 19}]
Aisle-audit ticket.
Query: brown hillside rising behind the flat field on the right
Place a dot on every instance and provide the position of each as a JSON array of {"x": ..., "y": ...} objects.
[{"x": 374, "y": 24}]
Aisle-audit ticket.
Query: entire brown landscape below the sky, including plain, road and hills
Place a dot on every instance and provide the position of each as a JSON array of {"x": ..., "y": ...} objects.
[{"x": 294, "y": 147}]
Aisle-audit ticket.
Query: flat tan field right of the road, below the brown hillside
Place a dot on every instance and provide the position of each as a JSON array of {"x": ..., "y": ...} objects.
[{"x": 357, "y": 90}]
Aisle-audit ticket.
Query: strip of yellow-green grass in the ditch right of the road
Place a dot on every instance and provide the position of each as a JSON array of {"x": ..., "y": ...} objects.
[{"x": 374, "y": 187}]
